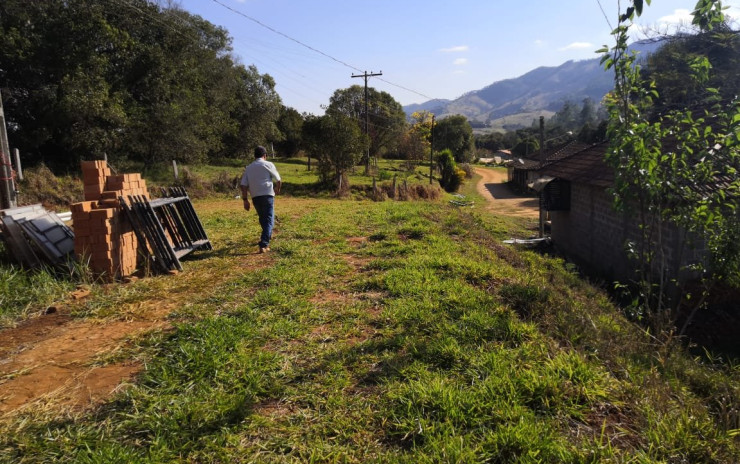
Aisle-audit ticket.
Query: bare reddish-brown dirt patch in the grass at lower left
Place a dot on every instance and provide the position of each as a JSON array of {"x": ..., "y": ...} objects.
[{"x": 55, "y": 359}]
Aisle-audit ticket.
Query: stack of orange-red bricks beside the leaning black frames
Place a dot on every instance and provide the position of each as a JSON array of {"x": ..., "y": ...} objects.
[{"x": 103, "y": 235}]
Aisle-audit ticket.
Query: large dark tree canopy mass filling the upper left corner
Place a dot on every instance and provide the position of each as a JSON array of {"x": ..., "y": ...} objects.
[{"x": 133, "y": 80}]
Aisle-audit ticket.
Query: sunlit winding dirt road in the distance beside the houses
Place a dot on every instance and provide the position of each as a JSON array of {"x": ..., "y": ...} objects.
[{"x": 501, "y": 200}]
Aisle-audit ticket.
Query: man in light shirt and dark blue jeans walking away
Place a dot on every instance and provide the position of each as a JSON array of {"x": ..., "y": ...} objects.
[{"x": 262, "y": 181}]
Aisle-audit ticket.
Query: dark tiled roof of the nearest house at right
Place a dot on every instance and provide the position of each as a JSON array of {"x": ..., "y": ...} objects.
[{"x": 584, "y": 164}]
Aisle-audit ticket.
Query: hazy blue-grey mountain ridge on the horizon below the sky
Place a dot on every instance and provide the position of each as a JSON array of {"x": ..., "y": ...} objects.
[{"x": 540, "y": 91}]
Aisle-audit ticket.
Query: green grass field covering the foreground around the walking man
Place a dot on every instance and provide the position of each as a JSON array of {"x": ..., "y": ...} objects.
[{"x": 380, "y": 332}]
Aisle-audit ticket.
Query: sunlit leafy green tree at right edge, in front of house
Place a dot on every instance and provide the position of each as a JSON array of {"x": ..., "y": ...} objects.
[{"x": 675, "y": 167}]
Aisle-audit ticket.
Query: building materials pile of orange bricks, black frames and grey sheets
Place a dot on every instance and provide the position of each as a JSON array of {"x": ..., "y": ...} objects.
[{"x": 114, "y": 230}]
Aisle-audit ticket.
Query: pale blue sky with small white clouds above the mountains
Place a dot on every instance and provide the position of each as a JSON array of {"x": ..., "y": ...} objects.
[{"x": 425, "y": 49}]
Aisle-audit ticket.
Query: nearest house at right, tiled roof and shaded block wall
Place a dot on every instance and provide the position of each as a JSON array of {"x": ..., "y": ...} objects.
[{"x": 584, "y": 223}]
